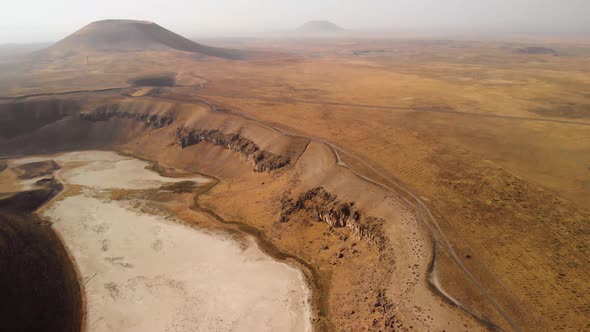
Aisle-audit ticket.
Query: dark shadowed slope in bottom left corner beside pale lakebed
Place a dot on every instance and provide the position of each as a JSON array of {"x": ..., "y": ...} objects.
[{"x": 38, "y": 282}]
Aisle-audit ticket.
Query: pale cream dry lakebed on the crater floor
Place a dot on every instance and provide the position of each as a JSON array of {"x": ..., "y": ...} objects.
[{"x": 145, "y": 272}]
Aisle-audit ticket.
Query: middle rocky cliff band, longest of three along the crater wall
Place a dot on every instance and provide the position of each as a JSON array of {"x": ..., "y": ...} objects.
[{"x": 263, "y": 161}]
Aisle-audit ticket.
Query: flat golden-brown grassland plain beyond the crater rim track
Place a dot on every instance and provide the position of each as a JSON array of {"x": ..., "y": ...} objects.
[{"x": 496, "y": 142}]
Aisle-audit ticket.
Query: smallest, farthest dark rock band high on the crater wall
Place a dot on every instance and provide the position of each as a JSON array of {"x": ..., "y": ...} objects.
[{"x": 105, "y": 113}]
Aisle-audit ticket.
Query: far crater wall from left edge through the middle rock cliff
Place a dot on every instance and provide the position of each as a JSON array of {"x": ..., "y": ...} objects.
[{"x": 48, "y": 126}]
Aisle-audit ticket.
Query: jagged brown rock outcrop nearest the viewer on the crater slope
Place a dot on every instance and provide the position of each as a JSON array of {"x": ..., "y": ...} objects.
[{"x": 326, "y": 207}]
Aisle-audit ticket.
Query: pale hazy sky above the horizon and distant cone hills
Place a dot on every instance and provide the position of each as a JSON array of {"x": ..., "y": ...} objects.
[{"x": 50, "y": 20}]
